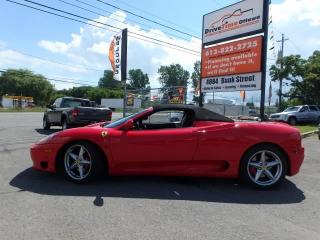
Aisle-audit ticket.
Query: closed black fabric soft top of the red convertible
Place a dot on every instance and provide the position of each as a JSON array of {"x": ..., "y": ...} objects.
[{"x": 200, "y": 114}]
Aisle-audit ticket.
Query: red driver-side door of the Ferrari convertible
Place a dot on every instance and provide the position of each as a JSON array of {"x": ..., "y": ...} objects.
[{"x": 167, "y": 151}]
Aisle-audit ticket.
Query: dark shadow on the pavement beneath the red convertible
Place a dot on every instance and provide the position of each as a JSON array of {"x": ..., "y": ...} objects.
[{"x": 170, "y": 188}]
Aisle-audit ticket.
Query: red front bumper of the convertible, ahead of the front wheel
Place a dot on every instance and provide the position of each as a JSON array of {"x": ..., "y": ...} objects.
[{"x": 43, "y": 156}]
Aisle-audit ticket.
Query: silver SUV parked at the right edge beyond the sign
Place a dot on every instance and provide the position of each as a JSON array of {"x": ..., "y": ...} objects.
[{"x": 298, "y": 114}]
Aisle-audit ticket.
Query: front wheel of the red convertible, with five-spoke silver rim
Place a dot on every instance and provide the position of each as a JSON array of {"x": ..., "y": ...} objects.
[{"x": 92, "y": 162}]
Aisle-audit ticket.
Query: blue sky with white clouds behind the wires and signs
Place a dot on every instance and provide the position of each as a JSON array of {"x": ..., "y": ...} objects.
[{"x": 62, "y": 49}]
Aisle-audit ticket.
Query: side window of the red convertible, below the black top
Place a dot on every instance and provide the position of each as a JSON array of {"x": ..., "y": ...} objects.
[{"x": 164, "y": 117}]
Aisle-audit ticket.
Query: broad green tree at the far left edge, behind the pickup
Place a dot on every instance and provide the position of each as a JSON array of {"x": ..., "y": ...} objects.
[{"x": 26, "y": 83}]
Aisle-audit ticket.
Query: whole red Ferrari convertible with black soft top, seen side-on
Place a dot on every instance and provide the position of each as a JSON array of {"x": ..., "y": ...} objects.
[{"x": 174, "y": 140}]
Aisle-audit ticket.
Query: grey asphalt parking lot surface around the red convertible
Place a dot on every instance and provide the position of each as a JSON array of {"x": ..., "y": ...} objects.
[{"x": 35, "y": 205}]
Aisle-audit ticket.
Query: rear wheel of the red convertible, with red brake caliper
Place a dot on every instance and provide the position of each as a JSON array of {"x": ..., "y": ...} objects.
[{"x": 265, "y": 175}]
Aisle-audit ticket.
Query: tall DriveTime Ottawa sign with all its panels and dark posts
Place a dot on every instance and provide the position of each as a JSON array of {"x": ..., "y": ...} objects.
[{"x": 234, "y": 49}]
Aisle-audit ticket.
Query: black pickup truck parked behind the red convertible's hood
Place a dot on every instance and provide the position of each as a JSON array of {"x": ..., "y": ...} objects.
[{"x": 69, "y": 112}]
